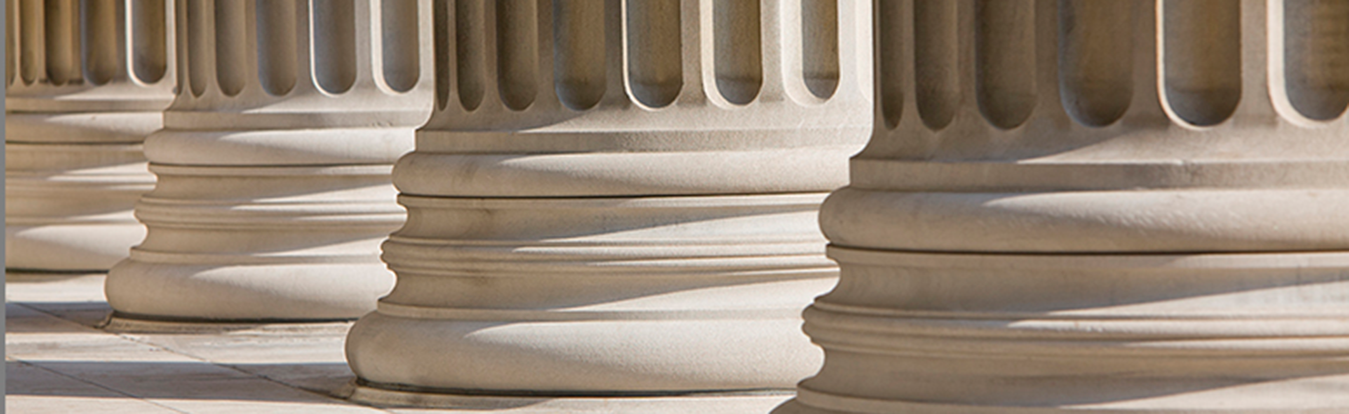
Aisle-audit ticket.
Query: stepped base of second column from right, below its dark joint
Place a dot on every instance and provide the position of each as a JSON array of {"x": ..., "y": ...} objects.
[{"x": 594, "y": 299}]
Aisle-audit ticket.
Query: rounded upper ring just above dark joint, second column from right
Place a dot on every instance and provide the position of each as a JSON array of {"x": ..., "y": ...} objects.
[{"x": 624, "y": 175}]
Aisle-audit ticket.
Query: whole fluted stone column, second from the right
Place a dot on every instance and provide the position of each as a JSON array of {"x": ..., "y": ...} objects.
[{"x": 619, "y": 199}]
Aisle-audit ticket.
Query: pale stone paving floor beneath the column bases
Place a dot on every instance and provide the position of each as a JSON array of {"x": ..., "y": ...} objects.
[{"x": 57, "y": 361}]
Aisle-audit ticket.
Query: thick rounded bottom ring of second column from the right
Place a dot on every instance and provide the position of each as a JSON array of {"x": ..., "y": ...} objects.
[{"x": 735, "y": 350}]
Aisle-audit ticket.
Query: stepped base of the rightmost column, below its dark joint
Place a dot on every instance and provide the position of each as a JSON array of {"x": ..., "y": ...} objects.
[{"x": 909, "y": 332}]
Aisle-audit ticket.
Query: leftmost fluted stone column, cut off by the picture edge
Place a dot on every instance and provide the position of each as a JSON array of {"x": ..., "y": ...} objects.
[{"x": 86, "y": 84}]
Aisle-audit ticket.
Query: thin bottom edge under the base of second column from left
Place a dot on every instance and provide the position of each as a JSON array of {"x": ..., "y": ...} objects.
[{"x": 122, "y": 323}]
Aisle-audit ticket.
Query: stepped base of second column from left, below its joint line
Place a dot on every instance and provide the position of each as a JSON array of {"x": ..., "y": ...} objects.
[{"x": 295, "y": 243}]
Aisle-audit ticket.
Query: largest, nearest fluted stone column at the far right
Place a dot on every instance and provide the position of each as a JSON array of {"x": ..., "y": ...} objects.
[{"x": 1108, "y": 207}]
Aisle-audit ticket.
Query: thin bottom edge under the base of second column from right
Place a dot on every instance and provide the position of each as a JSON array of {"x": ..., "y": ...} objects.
[{"x": 709, "y": 403}]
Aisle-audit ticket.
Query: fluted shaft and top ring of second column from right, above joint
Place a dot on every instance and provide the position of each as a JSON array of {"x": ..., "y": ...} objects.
[{"x": 643, "y": 99}]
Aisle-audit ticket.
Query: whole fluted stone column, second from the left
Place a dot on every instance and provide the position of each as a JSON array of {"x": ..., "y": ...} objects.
[{"x": 275, "y": 188}]
